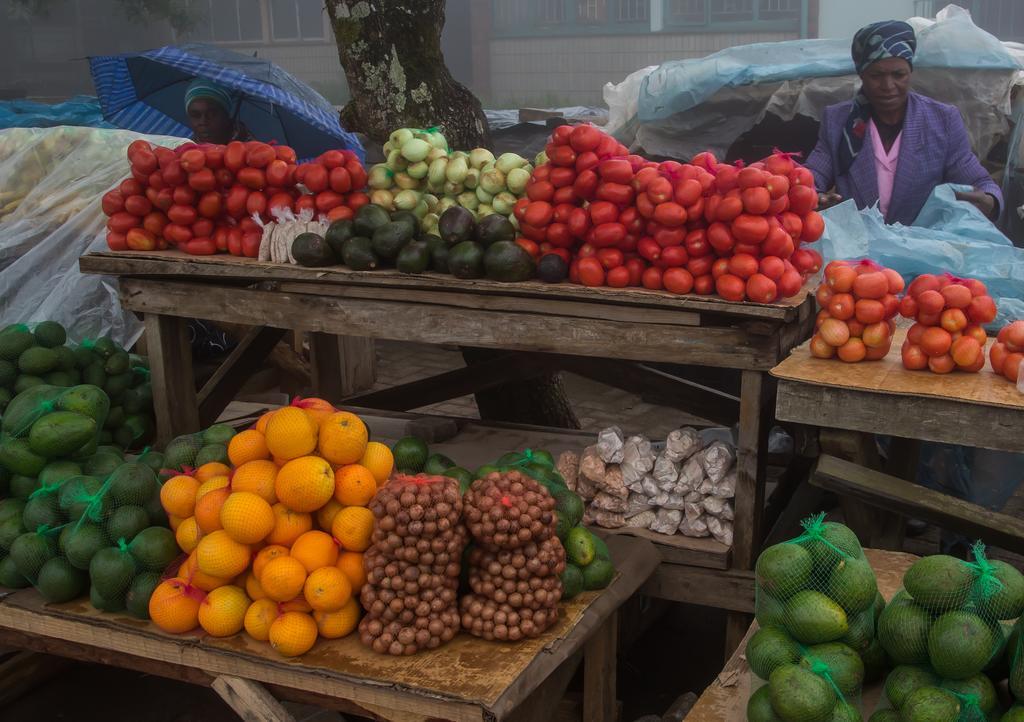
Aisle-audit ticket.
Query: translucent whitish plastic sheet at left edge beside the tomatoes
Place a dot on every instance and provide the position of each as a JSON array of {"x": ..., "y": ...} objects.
[{"x": 52, "y": 183}]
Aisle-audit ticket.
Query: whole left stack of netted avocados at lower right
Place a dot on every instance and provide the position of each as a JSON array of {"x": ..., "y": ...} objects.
[{"x": 818, "y": 606}]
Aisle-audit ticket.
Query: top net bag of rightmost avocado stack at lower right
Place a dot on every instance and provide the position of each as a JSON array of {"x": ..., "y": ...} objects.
[{"x": 950, "y": 614}]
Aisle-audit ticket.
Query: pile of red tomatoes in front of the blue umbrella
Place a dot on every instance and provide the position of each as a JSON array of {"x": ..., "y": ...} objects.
[{"x": 202, "y": 199}]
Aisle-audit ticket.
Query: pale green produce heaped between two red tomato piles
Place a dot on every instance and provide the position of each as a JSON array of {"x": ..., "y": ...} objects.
[{"x": 423, "y": 177}]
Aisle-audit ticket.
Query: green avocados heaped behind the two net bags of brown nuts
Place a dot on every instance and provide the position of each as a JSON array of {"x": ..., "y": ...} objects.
[{"x": 588, "y": 562}]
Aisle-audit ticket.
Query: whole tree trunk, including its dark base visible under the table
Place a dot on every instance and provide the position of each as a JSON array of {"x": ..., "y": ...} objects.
[{"x": 392, "y": 53}]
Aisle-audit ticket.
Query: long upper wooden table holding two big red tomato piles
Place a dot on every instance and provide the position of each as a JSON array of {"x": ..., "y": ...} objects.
[{"x": 609, "y": 334}]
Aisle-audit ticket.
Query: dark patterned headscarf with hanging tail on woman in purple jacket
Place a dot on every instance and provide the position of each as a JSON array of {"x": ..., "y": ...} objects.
[{"x": 876, "y": 43}]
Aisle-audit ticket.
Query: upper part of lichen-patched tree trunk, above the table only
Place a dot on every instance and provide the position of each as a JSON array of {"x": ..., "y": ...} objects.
[{"x": 392, "y": 53}]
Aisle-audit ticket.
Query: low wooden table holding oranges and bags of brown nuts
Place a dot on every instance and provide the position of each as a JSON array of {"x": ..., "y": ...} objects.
[{"x": 467, "y": 679}]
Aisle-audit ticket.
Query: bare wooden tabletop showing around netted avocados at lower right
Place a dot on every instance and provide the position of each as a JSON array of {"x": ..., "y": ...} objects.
[{"x": 726, "y": 699}]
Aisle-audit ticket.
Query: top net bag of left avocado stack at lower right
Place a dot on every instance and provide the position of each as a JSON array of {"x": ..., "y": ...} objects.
[{"x": 819, "y": 588}]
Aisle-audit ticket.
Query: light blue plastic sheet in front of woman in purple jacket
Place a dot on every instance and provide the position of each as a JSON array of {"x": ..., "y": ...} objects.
[{"x": 948, "y": 236}]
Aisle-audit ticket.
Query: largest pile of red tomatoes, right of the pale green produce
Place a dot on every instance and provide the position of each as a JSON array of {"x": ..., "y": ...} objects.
[{"x": 706, "y": 228}]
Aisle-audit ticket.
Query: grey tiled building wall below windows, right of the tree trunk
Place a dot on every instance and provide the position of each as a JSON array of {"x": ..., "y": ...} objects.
[{"x": 573, "y": 71}]
